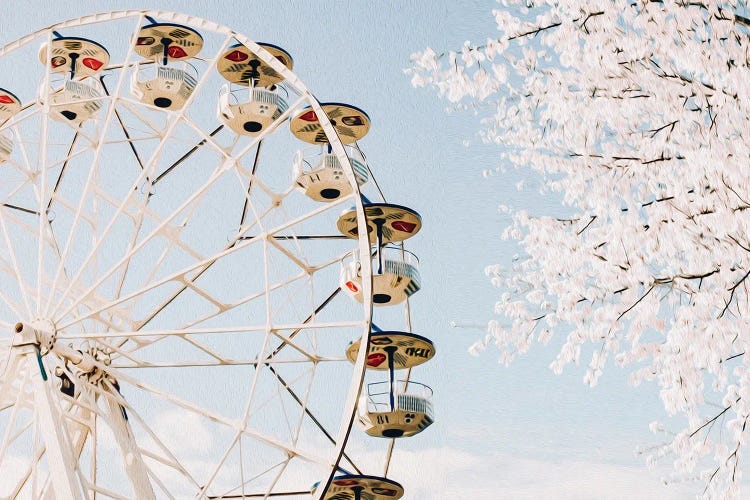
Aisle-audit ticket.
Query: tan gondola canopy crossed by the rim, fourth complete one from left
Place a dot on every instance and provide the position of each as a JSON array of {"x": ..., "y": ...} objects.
[{"x": 351, "y": 124}]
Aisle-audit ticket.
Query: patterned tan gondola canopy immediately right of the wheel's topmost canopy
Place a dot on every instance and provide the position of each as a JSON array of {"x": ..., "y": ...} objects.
[{"x": 239, "y": 65}]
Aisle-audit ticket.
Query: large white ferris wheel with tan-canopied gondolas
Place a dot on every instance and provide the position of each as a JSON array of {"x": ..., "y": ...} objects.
[{"x": 192, "y": 273}]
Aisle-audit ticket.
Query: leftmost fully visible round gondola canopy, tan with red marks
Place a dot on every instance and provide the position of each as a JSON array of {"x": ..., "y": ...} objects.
[{"x": 90, "y": 57}]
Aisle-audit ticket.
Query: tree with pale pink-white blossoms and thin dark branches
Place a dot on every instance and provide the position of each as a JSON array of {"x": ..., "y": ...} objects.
[{"x": 637, "y": 113}]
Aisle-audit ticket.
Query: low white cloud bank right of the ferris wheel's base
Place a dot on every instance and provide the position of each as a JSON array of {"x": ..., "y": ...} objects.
[{"x": 458, "y": 474}]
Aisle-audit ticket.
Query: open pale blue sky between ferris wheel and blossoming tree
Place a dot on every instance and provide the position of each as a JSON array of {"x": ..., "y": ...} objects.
[{"x": 501, "y": 432}]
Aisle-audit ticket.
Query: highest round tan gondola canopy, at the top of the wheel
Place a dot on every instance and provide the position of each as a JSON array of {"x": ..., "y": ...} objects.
[{"x": 182, "y": 42}]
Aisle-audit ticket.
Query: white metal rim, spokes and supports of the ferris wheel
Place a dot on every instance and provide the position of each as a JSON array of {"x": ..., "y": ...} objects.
[{"x": 60, "y": 420}]
